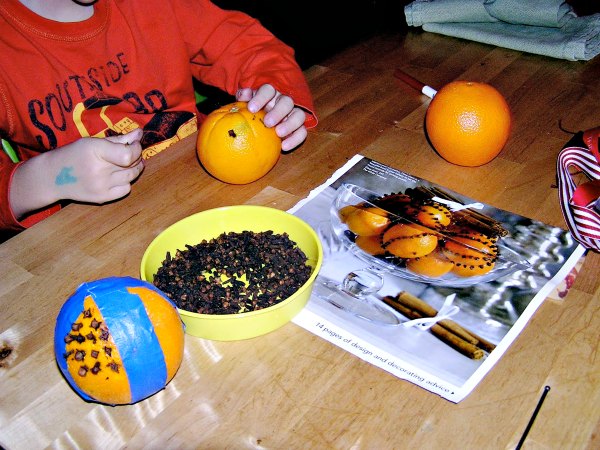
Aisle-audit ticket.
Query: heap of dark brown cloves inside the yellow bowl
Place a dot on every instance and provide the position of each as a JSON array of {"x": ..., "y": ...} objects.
[{"x": 234, "y": 273}]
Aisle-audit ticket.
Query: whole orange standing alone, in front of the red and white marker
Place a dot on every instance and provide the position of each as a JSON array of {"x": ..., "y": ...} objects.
[{"x": 468, "y": 123}]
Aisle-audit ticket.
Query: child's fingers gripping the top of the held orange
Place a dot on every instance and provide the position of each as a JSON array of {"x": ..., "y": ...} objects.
[{"x": 282, "y": 114}]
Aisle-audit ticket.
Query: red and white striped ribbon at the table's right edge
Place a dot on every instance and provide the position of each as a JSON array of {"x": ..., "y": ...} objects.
[{"x": 581, "y": 218}]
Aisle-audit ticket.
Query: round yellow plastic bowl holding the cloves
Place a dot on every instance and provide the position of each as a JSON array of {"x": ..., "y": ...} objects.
[{"x": 210, "y": 224}]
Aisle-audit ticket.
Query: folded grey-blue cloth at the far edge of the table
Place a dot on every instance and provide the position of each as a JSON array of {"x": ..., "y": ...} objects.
[{"x": 544, "y": 27}]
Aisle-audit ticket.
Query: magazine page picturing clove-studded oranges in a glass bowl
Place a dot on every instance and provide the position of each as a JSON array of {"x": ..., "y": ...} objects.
[{"x": 427, "y": 284}]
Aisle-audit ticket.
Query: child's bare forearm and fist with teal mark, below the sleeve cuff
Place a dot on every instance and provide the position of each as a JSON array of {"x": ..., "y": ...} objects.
[{"x": 91, "y": 170}]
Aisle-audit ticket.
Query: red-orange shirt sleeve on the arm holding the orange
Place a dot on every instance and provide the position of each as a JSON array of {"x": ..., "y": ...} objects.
[{"x": 233, "y": 51}]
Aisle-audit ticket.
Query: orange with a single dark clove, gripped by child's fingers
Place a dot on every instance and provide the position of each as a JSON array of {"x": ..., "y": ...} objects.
[{"x": 235, "y": 146}]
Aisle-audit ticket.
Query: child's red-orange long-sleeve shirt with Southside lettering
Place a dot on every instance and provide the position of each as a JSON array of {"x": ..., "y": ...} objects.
[{"x": 130, "y": 65}]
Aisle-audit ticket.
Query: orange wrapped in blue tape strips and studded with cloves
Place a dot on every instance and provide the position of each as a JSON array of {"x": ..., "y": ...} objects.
[{"x": 118, "y": 340}]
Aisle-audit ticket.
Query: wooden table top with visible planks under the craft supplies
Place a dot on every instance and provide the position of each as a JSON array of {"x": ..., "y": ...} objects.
[{"x": 291, "y": 389}]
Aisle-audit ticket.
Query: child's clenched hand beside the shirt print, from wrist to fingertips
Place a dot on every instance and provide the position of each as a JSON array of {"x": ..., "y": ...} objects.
[{"x": 99, "y": 170}]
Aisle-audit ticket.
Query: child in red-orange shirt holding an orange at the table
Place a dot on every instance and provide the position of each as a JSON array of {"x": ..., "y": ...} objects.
[{"x": 105, "y": 84}]
